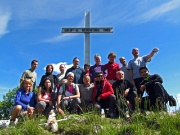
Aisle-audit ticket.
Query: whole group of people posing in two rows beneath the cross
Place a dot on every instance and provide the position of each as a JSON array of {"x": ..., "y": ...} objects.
[{"x": 93, "y": 88}]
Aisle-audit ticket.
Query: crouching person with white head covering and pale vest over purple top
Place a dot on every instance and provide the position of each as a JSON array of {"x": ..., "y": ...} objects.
[{"x": 69, "y": 96}]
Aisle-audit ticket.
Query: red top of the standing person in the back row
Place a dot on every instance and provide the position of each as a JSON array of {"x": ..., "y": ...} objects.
[{"x": 112, "y": 68}]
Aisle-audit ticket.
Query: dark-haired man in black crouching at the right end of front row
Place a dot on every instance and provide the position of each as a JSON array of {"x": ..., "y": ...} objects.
[{"x": 157, "y": 95}]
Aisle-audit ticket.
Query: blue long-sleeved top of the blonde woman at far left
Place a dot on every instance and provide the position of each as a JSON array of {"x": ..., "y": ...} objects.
[{"x": 24, "y": 99}]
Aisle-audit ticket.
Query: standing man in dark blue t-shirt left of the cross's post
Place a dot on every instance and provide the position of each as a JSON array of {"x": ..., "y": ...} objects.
[{"x": 78, "y": 71}]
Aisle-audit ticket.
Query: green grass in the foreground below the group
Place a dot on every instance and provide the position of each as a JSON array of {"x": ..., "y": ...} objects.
[{"x": 158, "y": 123}]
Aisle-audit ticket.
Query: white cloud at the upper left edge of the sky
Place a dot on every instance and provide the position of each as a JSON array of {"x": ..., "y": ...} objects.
[{"x": 4, "y": 19}]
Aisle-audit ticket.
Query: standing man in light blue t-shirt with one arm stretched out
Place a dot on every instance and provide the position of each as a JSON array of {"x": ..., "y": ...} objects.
[{"x": 135, "y": 64}]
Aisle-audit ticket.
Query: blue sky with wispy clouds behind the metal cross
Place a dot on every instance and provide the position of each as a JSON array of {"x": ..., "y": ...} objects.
[{"x": 31, "y": 30}]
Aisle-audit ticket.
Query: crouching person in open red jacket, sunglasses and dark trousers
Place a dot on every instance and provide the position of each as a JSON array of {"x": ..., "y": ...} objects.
[{"x": 103, "y": 95}]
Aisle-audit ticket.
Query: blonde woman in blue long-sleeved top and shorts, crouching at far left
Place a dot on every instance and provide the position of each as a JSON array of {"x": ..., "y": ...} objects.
[{"x": 24, "y": 101}]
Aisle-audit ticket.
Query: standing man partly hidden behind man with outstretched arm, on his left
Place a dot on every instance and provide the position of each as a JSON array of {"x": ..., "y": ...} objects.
[{"x": 124, "y": 68}]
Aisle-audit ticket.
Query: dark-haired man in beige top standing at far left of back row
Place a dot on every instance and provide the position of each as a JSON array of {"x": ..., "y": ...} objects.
[{"x": 30, "y": 73}]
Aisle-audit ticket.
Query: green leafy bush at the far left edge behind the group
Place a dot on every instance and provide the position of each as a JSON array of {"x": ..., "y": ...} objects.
[{"x": 7, "y": 103}]
